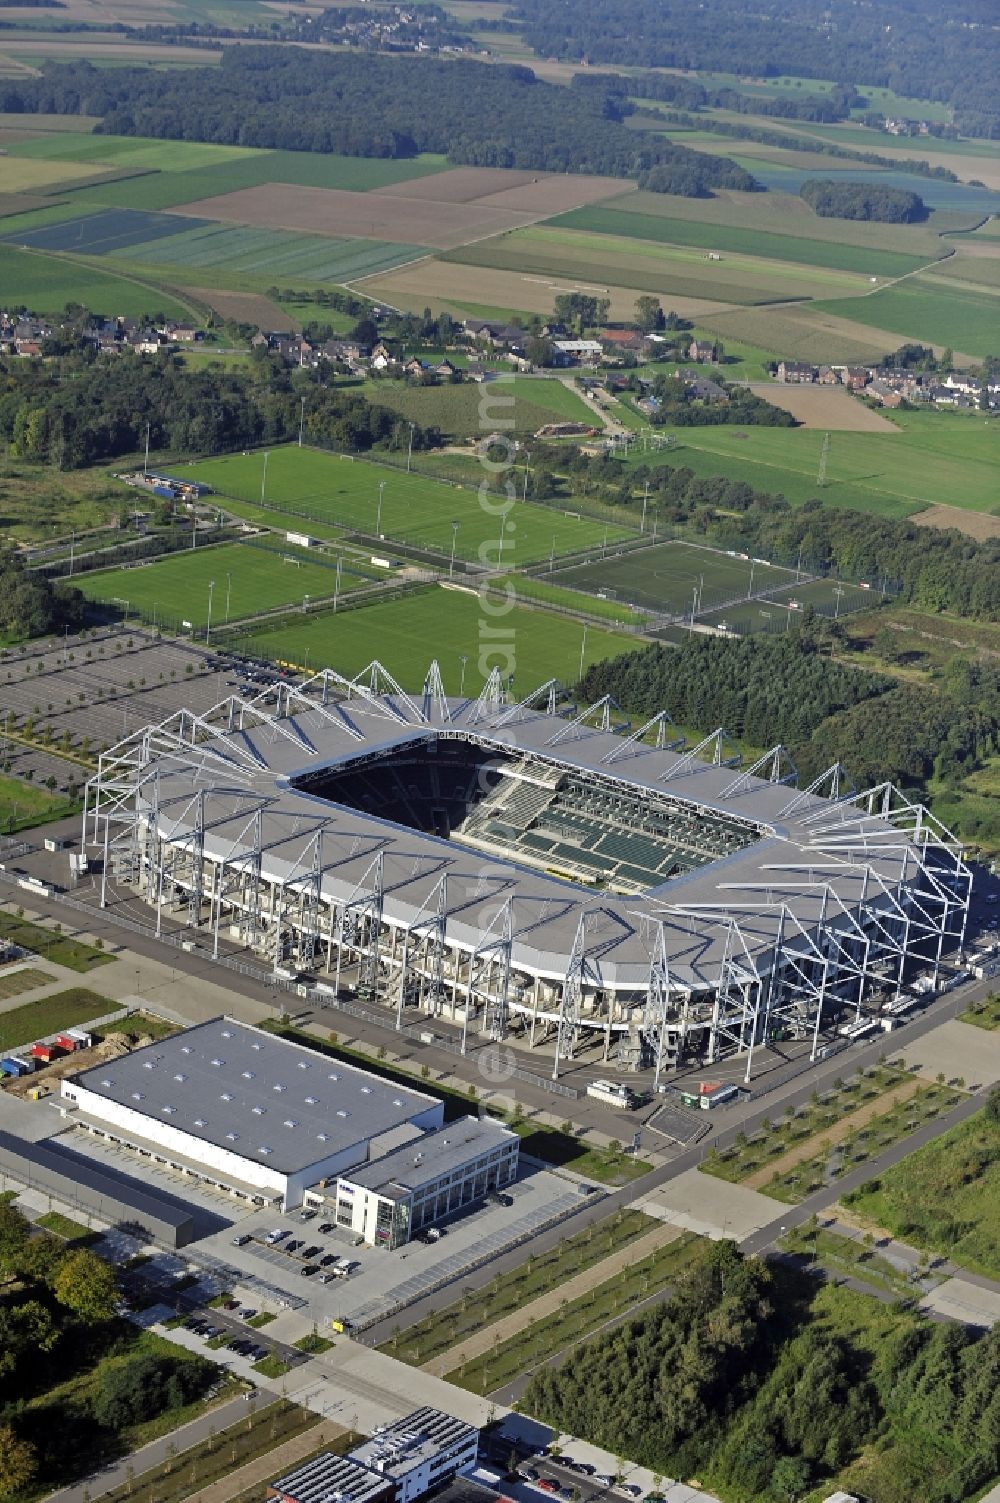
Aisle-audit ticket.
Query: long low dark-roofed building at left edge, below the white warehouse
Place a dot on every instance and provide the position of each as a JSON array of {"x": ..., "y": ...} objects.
[{"x": 86, "y": 1187}]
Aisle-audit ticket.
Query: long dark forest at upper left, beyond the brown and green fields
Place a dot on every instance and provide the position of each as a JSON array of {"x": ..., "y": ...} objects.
[{"x": 372, "y": 106}]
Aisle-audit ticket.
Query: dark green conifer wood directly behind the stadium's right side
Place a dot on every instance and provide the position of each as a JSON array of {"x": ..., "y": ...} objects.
[{"x": 786, "y": 689}]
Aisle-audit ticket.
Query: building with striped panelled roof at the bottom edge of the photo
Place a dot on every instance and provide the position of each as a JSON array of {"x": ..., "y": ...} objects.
[{"x": 399, "y": 1465}]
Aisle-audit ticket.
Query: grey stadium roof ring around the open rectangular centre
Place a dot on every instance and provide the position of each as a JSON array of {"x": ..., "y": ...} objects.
[{"x": 807, "y": 847}]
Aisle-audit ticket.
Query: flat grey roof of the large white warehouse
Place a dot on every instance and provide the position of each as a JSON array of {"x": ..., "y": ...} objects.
[{"x": 247, "y": 1092}]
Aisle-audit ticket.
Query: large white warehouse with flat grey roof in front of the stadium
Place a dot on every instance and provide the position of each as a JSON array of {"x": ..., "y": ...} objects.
[{"x": 246, "y": 1110}]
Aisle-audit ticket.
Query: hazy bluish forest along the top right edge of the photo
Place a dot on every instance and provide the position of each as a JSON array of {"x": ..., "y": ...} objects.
[{"x": 929, "y": 53}]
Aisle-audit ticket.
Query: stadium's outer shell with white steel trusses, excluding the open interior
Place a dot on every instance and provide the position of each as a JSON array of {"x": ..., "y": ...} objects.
[{"x": 879, "y": 879}]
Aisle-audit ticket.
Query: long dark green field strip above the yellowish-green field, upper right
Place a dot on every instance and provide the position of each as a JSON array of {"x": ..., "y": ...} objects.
[{"x": 747, "y": 243}]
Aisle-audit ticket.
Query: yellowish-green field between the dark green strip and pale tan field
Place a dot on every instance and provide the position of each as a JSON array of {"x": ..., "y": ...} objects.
[{"x": 655, "y": 267}]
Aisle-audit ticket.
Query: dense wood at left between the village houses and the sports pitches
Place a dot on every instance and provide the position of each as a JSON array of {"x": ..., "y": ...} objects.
[{"x": 83, "y": 410}]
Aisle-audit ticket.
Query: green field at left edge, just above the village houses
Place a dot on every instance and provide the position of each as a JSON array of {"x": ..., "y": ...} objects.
[{"x": 47, "y": 283}]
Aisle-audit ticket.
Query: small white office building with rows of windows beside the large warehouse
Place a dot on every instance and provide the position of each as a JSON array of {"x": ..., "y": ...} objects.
[{"x": 426, "y": 1181}]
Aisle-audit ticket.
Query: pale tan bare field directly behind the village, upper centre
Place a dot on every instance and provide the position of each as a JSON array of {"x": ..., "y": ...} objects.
[{"x": 485, "y": 288}]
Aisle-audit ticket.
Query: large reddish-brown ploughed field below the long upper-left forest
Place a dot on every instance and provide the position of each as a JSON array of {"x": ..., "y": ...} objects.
[{"x": 365, "y": 216}]
